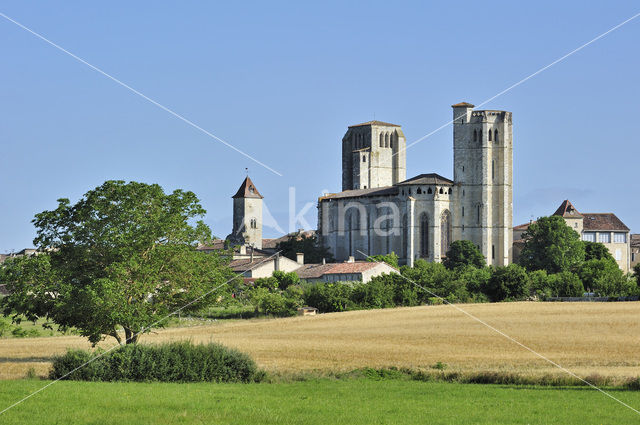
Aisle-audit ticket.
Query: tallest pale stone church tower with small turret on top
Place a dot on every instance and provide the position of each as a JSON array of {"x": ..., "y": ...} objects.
[{"x": 483, "y": 175}]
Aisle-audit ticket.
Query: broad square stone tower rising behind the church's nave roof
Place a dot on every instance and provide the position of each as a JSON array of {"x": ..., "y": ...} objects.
[{"x": 373, "y": 155}]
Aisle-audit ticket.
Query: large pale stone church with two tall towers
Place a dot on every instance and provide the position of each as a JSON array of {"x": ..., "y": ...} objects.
[{"x": 379, "y": 210}]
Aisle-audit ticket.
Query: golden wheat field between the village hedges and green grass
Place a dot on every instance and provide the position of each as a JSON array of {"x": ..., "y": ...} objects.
[{"x": 586, "y": 338}]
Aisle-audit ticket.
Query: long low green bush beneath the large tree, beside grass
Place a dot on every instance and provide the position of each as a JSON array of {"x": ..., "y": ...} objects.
[{"x": 173, "y": 362}]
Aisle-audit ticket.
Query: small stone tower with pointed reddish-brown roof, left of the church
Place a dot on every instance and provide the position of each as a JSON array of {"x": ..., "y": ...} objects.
[{"x": 247, "y": 216}]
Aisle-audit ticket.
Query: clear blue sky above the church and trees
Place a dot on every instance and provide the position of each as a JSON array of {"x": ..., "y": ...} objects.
[{"x": 282, "y": 81}]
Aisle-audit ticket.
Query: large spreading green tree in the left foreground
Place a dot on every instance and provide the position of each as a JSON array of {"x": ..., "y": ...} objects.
[{"x": 122, "y": 257}]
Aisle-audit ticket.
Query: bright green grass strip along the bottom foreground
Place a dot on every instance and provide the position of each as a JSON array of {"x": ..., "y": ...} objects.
[{"x": 355, "y": 401}]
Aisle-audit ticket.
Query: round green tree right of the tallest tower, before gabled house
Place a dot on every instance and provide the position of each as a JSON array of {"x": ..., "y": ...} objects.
[{"x": 551, "y": 245}]
